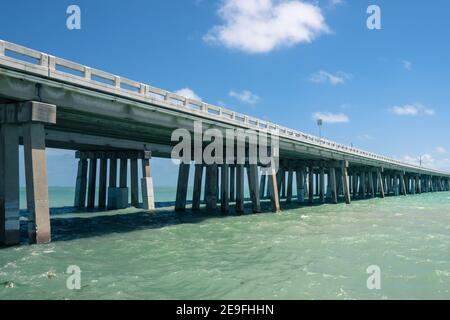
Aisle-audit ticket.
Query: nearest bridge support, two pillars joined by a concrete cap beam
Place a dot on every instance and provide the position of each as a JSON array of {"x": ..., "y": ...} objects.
[{"x": 31, "y": 117}]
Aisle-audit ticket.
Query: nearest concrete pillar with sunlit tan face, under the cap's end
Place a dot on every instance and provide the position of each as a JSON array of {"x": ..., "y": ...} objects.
[{"x": 36, "y": 183}]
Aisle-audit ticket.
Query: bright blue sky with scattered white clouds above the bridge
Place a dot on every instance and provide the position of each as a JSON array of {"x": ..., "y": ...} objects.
[{"x": 290, "y": 62}]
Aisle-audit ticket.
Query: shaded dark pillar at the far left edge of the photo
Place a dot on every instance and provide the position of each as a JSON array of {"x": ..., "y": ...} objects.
[{"x": 9, "y": 198}]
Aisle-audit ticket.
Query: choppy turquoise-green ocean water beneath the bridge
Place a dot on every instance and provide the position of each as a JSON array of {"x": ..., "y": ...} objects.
[{"x": 311, "y": 252}]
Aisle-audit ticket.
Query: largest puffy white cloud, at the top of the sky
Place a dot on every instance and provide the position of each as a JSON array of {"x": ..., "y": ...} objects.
[{"x": 260, "y": 26}]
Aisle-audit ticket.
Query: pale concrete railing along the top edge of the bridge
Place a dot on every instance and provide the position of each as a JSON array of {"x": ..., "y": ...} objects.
[{"x": 35, "y": 62}]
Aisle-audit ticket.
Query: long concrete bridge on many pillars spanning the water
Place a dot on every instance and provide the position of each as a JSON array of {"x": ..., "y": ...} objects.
[{"x": 116, "y": 124}]
